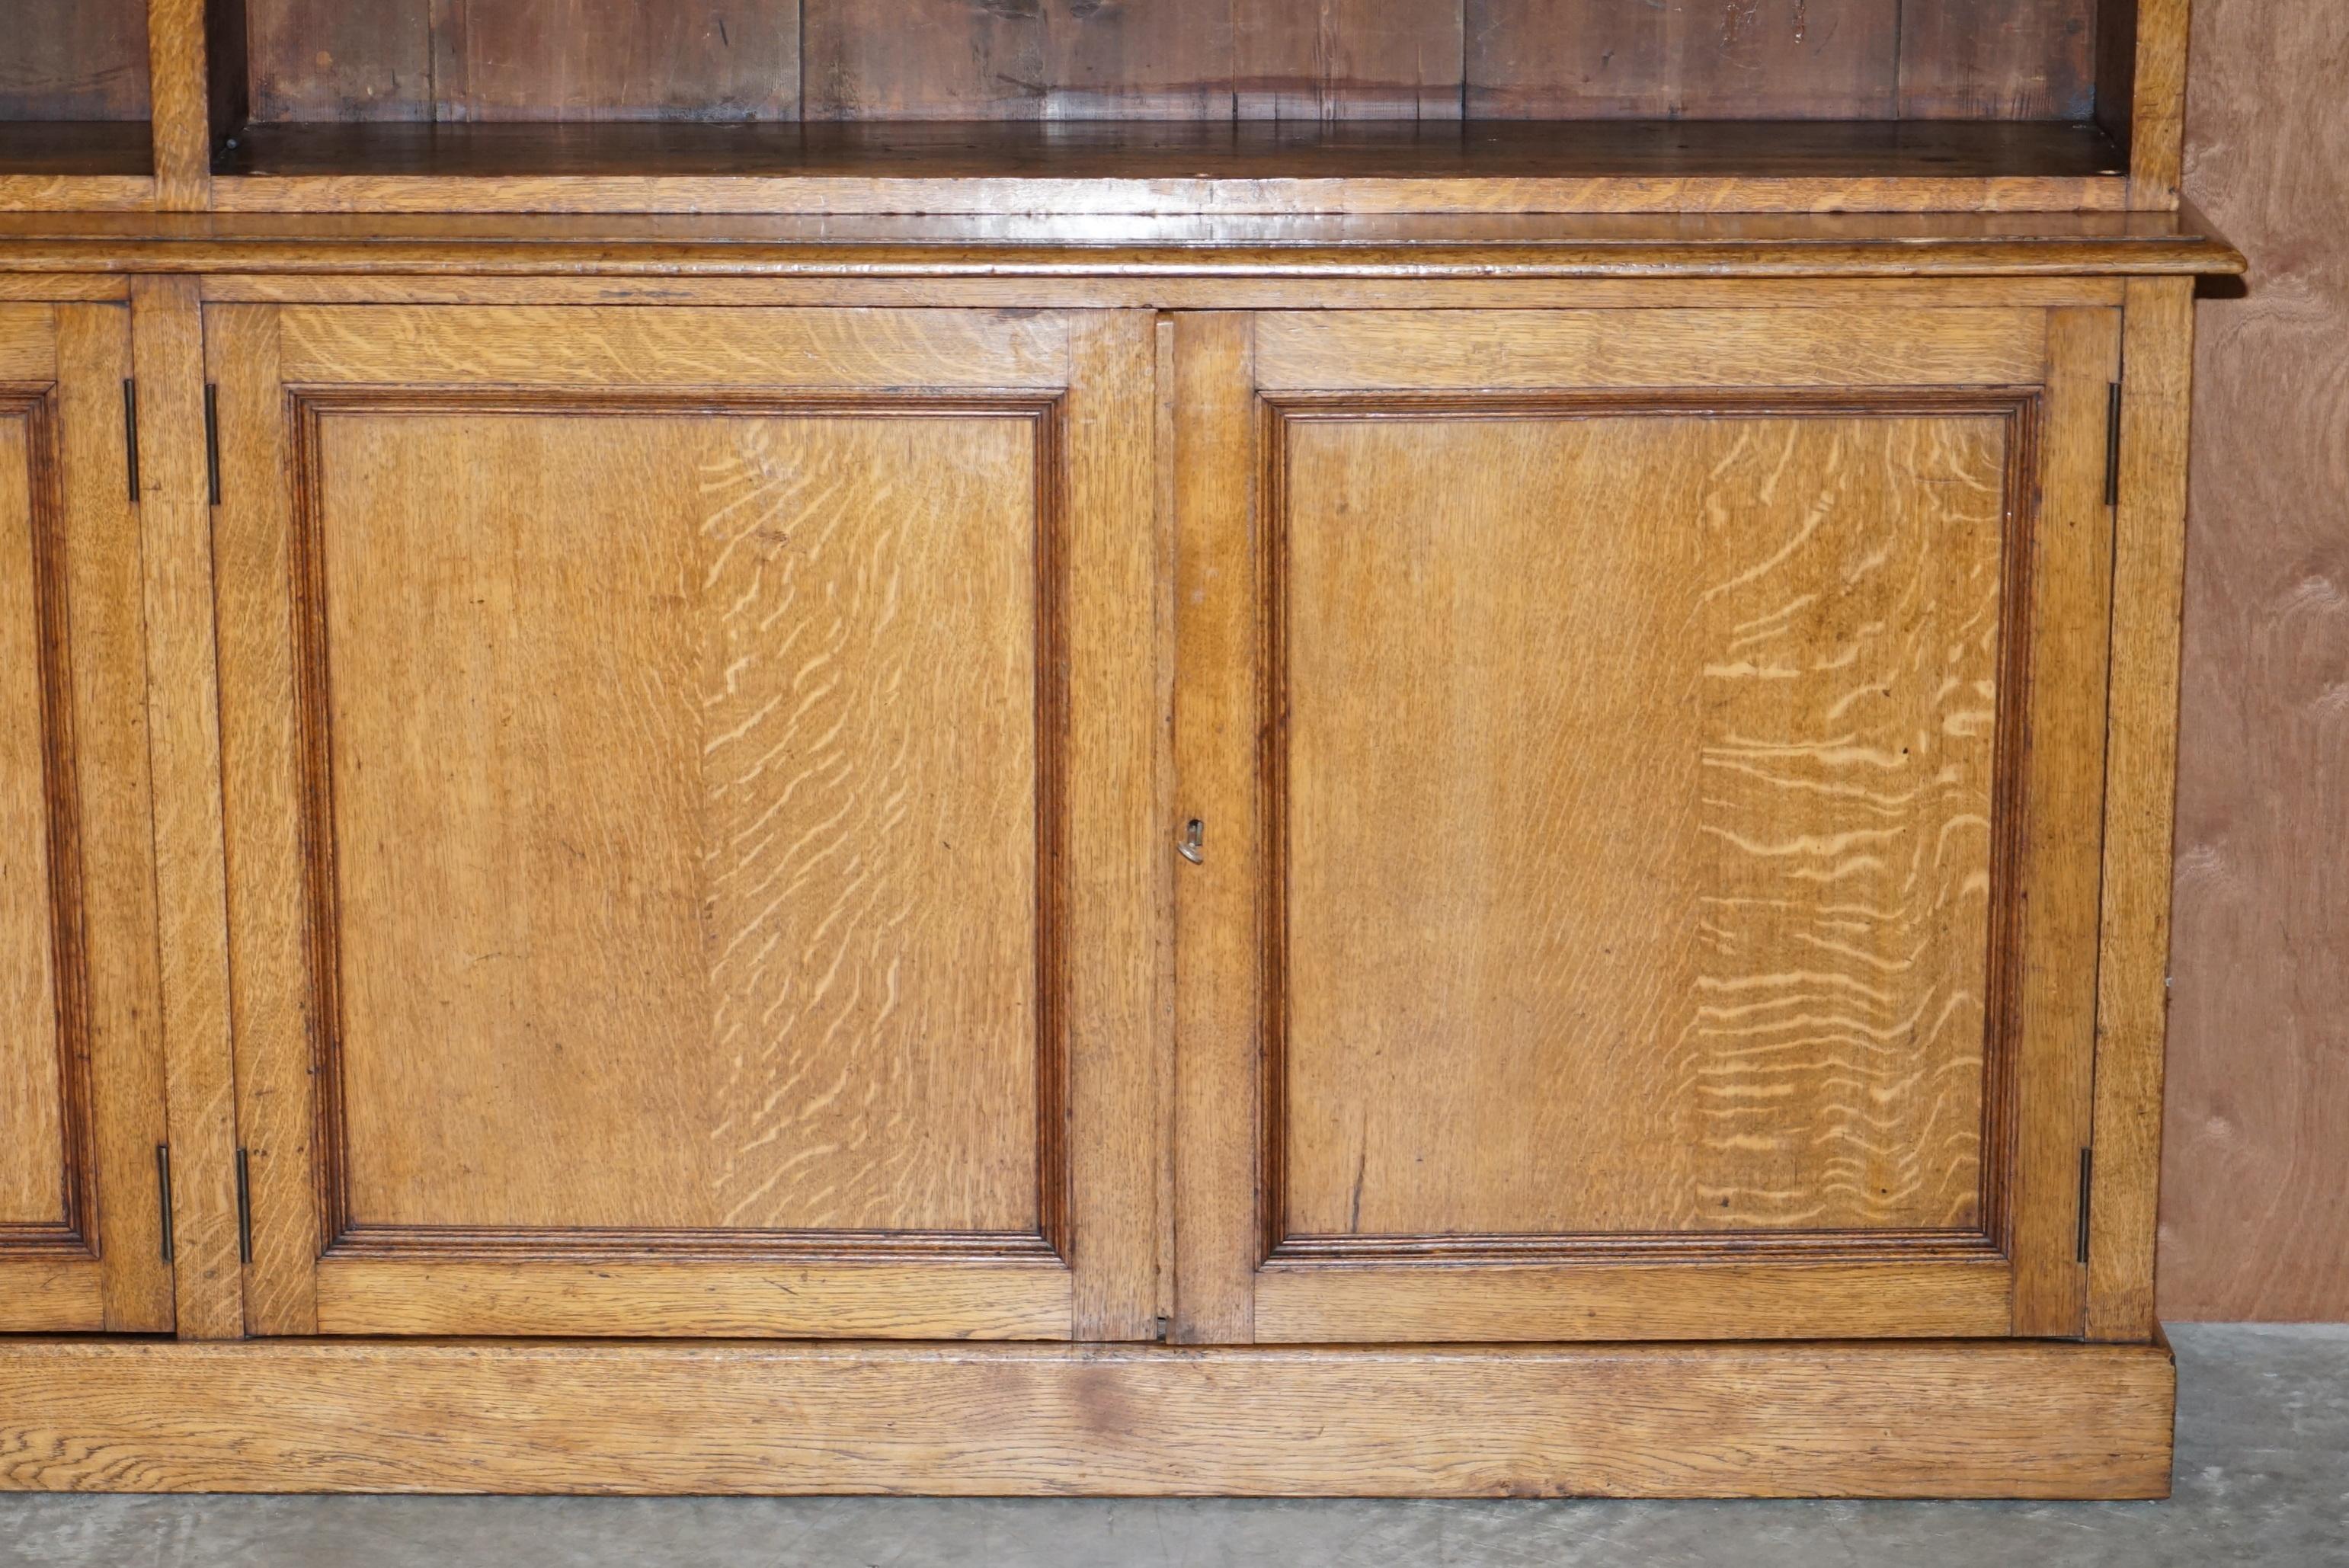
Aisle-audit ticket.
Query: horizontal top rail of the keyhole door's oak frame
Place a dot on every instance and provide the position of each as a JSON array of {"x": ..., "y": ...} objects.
[{"x": 1660, "y": 349}]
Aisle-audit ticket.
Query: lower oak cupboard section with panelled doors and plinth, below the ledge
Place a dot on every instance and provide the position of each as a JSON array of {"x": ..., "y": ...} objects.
[{"x": 1462, "y": 903}]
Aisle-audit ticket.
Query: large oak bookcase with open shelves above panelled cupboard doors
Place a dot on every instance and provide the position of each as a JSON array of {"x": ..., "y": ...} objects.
[{"x": 1089, "y": 745}]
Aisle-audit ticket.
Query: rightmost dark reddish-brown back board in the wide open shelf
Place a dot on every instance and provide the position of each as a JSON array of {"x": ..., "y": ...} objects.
[{"x": 1998, "y": 60}]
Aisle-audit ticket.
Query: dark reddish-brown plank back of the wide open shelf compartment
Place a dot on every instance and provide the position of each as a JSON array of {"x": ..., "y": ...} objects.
[{"x": 1171, "y": 60}]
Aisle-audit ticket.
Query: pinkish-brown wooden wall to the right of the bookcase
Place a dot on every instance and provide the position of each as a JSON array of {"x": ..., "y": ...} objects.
[{"x": 2256, "y": 1189}]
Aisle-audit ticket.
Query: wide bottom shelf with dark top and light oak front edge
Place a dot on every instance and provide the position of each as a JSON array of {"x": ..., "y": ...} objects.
[{"x": 1176, "y": 168}]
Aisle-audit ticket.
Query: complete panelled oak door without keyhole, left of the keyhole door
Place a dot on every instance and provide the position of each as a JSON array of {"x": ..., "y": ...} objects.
[{"x": 692, "y": 818}]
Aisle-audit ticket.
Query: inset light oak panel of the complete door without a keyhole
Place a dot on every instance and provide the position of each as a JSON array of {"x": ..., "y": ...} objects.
[{"x": 711, "y": 895}]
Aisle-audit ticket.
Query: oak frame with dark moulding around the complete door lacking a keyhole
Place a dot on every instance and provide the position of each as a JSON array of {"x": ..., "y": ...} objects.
[{"x": 1084, "y": 384}]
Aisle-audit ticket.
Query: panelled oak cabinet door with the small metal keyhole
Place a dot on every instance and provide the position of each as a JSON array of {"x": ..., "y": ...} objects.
[{"x": 1648, "y": 773}]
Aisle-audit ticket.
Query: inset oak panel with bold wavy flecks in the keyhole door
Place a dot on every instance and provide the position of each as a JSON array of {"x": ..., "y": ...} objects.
[{"x": 1688, "y": 928}]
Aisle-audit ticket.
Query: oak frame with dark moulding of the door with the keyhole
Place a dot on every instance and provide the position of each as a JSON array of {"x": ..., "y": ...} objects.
[{"x": 1241, "y": 381}]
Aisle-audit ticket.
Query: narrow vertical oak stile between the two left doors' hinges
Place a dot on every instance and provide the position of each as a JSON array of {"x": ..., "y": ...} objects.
[{"x": 187, "y": 769}]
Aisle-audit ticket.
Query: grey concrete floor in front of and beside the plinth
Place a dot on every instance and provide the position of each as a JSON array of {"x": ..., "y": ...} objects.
[{"x": 2263, "y": 1478}]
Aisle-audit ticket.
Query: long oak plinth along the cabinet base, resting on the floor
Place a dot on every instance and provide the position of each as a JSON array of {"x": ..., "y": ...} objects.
[{"x": 1657, "y": 1421}]
